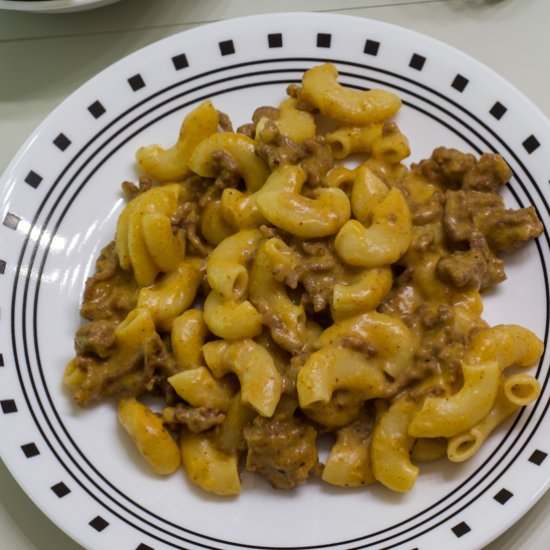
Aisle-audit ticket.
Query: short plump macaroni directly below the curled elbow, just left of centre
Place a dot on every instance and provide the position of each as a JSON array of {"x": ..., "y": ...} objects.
[{"x": 232, "y": 319}]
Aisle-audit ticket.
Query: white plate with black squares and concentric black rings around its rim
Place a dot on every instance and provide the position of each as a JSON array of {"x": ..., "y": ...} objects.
[{"x": 60, "y": 198}]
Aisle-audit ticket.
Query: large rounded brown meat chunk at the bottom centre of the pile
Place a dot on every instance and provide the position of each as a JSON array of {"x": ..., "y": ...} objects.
[{"x": 282, "y": 449}]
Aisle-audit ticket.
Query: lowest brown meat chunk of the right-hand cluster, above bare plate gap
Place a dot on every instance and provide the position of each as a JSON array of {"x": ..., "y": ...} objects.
[{"x": 477, "y": 268}]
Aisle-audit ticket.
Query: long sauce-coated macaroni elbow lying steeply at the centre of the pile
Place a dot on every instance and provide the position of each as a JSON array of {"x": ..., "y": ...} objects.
[{"x": 285, "y": 319}]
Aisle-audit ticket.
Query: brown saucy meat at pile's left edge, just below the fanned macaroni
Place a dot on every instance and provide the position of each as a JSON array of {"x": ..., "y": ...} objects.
[{"x": 112, "y": 292}]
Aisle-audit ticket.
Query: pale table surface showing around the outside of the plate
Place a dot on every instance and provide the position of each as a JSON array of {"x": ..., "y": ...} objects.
[{"x": 44, "y": 57}]
